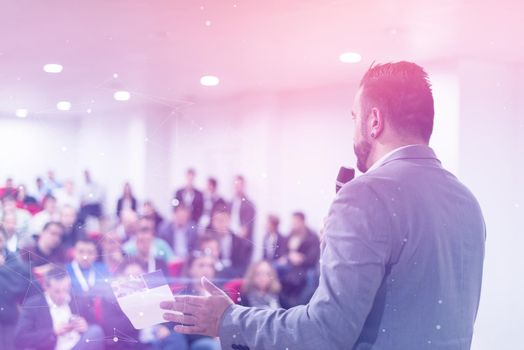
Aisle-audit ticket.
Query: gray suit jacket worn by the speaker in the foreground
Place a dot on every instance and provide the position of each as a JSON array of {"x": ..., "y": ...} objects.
[{"x": 401, "y": 268}]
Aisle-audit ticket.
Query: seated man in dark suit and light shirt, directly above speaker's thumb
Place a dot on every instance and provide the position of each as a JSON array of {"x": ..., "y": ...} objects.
[{"x": 235, "y": 252}]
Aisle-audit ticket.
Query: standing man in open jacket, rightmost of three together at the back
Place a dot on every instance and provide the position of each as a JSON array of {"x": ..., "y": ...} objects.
[{"x": 242, "y": 210}]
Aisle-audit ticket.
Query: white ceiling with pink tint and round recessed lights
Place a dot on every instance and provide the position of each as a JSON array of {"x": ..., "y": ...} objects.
[{"x": 159, "y": 49}]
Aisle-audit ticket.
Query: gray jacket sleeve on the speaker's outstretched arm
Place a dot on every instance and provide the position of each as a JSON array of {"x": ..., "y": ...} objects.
[{"x": 354, "y": 255}]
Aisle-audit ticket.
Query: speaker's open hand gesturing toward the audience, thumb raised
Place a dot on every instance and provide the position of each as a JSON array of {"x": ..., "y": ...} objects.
[{"x": 198, "y": 314}]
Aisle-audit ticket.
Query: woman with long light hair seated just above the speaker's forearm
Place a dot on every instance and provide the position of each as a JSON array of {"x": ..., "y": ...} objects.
[{"x": 261, "y": 286}]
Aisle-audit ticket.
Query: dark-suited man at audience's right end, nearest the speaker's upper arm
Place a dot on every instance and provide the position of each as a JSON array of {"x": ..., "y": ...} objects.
[{"x": 297, "y": 269}]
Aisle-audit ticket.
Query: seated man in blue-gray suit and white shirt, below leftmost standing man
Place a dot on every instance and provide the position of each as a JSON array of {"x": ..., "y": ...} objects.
[{"x": 180, "y": 233}]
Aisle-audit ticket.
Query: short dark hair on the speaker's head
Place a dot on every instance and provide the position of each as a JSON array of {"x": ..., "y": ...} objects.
[{"x": 401, "y": 91}]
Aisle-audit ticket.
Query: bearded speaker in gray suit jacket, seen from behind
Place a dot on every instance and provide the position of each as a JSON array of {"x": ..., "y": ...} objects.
[{"x": 403, "y": 246}]
